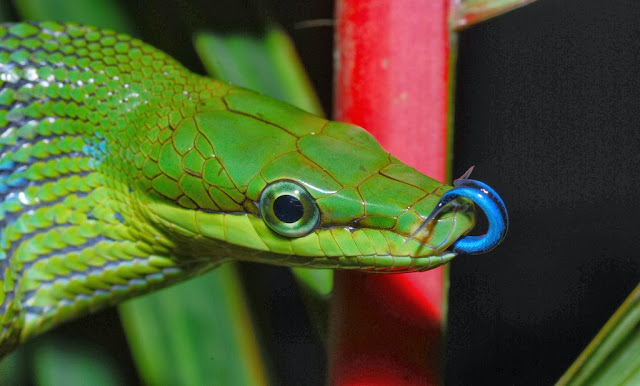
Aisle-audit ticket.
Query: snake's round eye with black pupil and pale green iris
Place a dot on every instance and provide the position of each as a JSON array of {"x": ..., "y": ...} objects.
[{"x": 288, "y": 209}]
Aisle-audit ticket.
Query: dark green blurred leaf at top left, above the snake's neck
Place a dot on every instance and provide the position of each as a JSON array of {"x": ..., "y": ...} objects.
[{"x": 100, "y": 13}]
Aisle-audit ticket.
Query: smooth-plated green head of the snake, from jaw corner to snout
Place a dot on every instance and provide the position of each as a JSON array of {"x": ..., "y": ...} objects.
[{"x": 275, "y": 184}]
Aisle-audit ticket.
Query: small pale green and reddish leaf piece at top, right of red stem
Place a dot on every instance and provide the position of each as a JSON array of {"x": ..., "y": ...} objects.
[{"x": 470, "y": 12}]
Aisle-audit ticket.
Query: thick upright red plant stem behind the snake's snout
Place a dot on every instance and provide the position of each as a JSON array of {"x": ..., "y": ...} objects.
[{"x": 392, "y": 77}]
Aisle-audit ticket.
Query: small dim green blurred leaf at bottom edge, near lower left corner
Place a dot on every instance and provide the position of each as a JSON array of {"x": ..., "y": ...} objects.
[{"x": 71, "y": 363}]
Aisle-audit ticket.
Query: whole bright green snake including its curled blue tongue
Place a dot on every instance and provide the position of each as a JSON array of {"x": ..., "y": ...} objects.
[{"x": 121, "y": 172}]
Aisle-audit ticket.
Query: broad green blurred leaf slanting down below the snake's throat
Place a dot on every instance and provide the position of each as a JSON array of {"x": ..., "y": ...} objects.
[{"x": 195, "y": 333}]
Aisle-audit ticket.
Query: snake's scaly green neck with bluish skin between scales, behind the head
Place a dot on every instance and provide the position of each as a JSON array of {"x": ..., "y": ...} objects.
[{"x": 80, "y": 125}]
